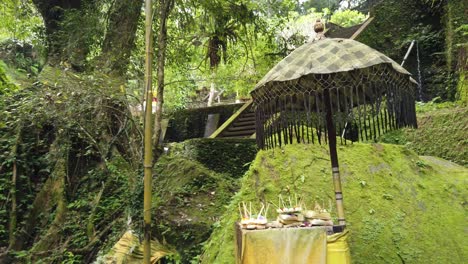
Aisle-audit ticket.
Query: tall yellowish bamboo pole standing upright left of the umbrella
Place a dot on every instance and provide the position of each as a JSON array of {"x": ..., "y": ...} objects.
[{"x": 148, "y": 157}]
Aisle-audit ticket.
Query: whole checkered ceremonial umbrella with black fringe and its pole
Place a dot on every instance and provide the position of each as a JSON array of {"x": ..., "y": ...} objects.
[{"x": 329, "y": 88}]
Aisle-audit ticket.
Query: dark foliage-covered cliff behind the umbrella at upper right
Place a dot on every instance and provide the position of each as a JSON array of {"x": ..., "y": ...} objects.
[{"x": 437, "y": 26}]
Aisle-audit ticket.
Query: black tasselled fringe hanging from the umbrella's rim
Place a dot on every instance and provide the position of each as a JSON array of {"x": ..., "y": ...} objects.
[{"x": 360, "y": 111}]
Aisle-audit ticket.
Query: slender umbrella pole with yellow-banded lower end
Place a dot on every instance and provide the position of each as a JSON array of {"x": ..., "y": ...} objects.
[{"x": 334, "y": 158}]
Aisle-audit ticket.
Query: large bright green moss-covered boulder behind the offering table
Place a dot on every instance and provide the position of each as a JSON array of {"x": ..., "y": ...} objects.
[{"x": 400, "y": 208}]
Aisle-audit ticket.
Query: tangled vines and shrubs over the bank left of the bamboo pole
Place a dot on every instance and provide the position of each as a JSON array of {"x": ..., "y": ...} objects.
[{"x": 57, "y": 165}]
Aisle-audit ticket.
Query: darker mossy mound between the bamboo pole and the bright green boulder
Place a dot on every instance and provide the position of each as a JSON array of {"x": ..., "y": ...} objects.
[{"x": 188, "y": 200}]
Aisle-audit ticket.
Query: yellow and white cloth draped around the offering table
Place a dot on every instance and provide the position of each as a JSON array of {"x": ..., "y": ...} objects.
[{"x": 282, "y": 246}]
